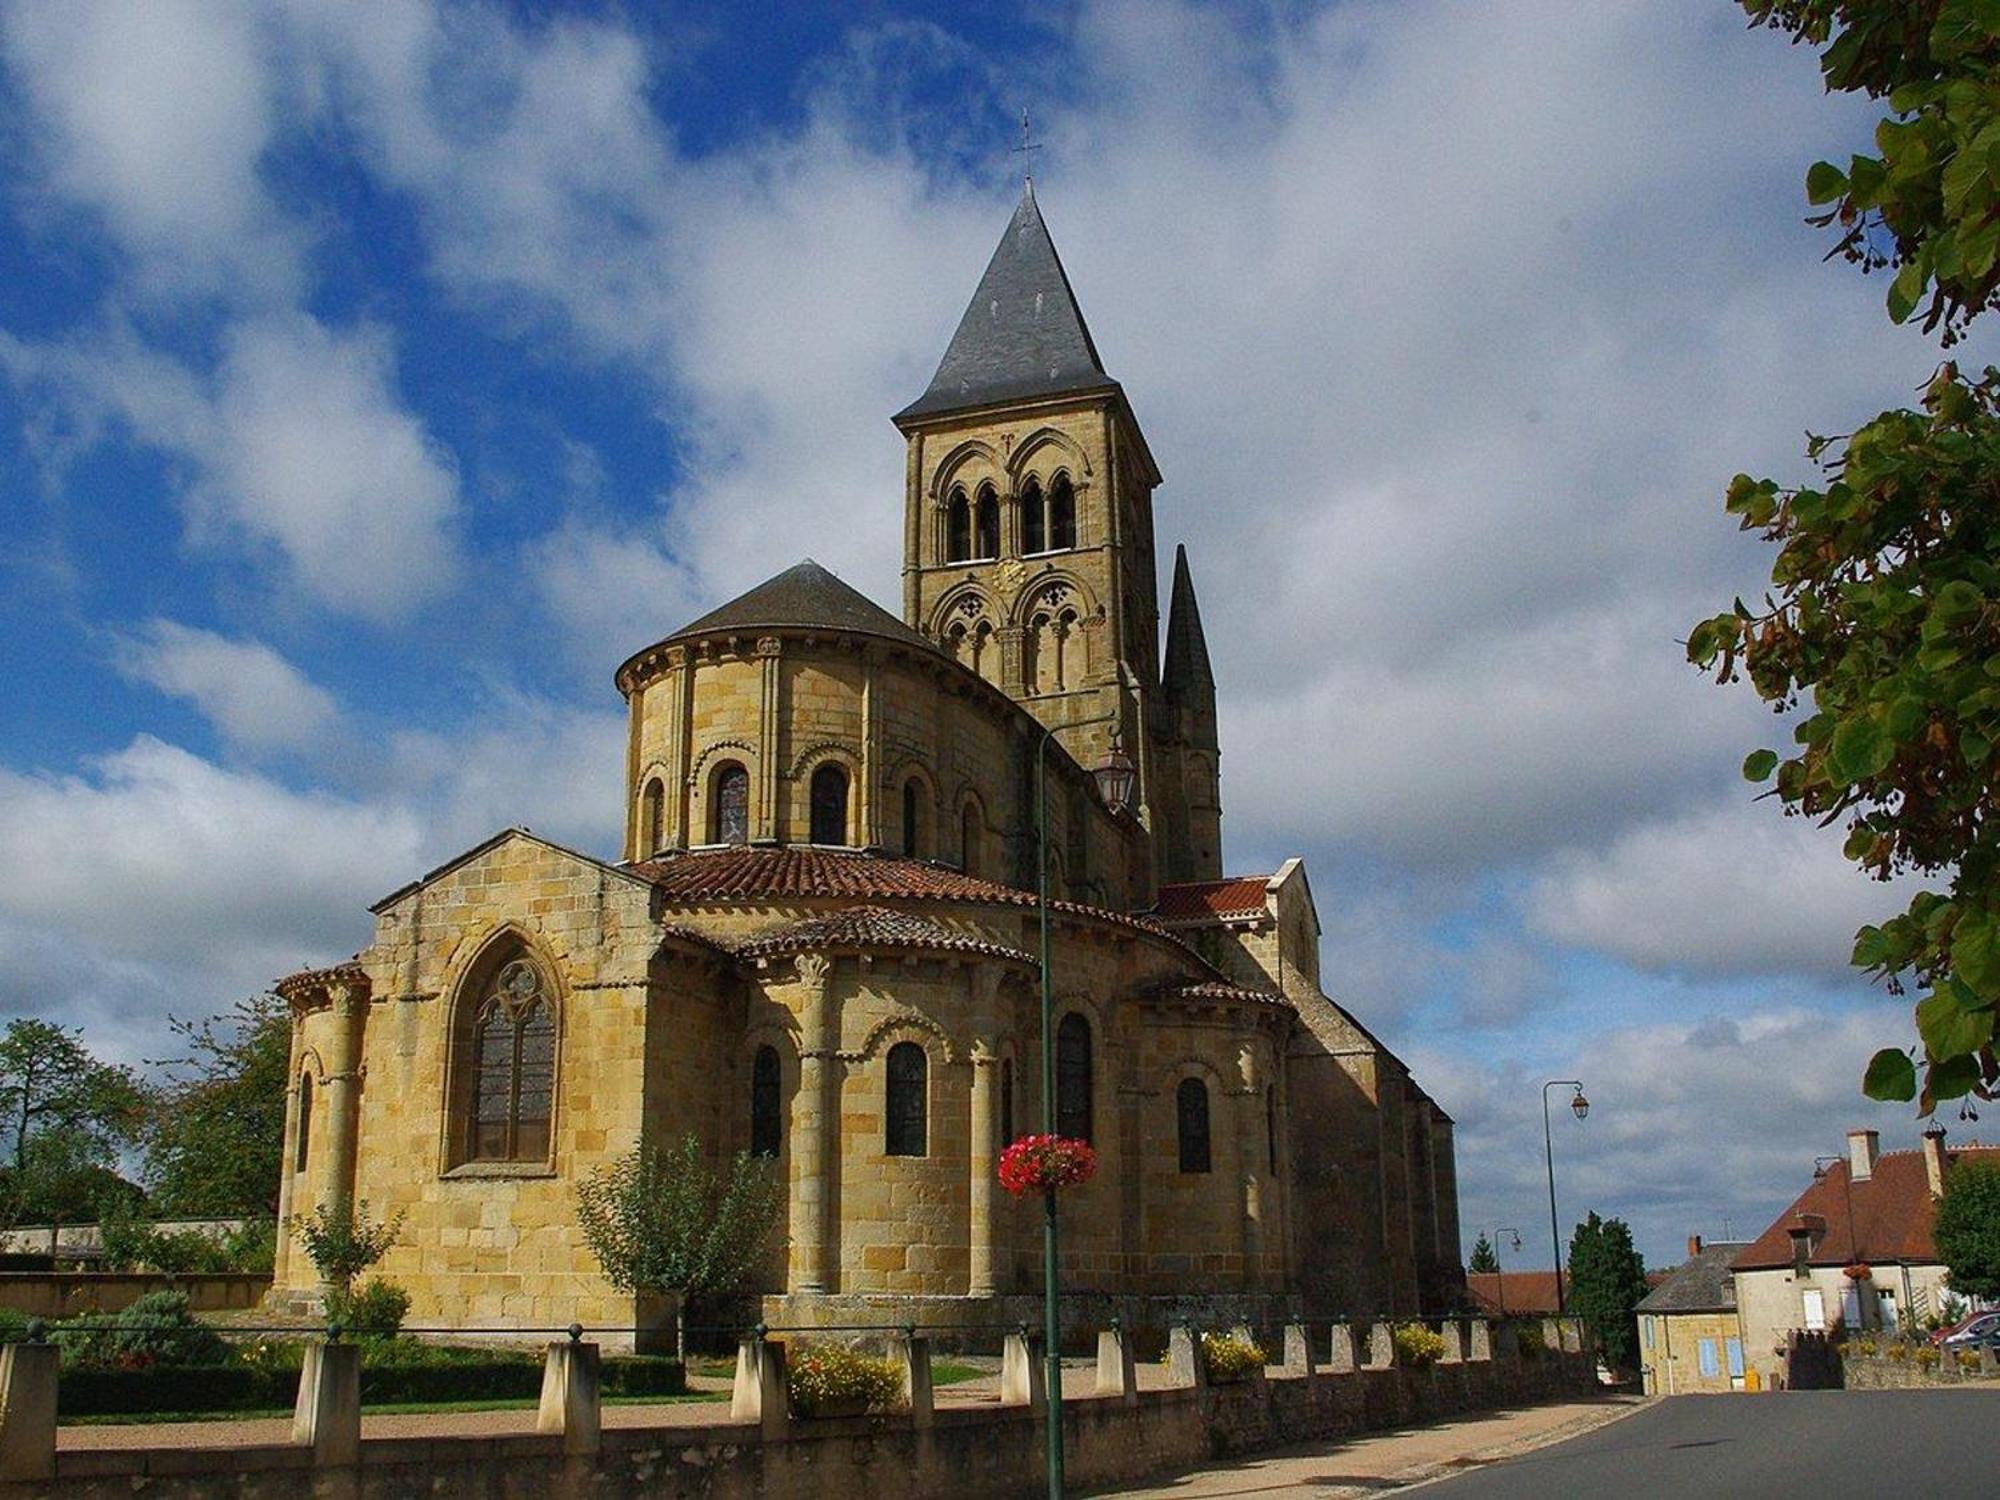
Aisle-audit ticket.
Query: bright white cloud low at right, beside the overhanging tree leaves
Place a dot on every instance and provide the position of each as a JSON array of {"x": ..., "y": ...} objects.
[{"x": 1731, "y": 889}]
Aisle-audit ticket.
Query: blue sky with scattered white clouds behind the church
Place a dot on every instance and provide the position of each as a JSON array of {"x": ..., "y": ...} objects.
[{"x": 375, "y": 379}]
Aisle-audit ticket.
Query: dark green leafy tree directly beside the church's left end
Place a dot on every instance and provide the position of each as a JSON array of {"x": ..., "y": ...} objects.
[{"x": 217, "y": 1137}]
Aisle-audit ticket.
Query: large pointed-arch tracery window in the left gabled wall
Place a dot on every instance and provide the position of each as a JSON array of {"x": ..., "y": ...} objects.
[{"x": 513, "y": 1069}]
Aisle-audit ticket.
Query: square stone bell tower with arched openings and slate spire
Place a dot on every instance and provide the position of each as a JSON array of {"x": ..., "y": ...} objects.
[{"x": 1029, "y": 545}]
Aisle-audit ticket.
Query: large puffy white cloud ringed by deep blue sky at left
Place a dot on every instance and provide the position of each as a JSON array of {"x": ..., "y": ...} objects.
[{"x": 301, "y": 449}]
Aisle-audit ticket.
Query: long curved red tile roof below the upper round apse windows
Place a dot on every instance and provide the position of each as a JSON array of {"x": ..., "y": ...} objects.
[{"x": 751, "y": 873}]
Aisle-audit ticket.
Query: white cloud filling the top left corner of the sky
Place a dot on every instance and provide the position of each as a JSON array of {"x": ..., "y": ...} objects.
[{"x": 157, "y": 119}]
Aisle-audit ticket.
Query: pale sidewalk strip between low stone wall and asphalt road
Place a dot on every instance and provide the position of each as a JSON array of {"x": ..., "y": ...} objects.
[{"x": 1391, "y": 1461}]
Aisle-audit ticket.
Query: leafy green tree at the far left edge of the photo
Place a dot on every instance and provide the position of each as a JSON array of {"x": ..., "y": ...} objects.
[{"x": 63, "y": 1123}]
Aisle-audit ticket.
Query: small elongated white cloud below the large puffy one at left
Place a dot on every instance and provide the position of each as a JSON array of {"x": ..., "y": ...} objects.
[{"x": 247, "y": 689}]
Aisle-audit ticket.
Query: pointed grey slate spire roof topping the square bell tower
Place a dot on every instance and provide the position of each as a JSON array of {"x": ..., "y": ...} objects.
[{"x": 1023, "y": 333}]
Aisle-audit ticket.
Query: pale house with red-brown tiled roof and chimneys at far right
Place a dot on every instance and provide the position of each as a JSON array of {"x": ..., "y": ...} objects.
[{"x": 1853, "y": 1251}]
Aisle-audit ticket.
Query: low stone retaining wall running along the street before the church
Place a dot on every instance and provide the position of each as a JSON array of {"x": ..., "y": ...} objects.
[{"x": 967, "y": 1453}]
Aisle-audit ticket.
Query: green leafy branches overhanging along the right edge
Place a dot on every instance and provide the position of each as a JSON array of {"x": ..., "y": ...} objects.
[{"x": 1885, "y": 605}]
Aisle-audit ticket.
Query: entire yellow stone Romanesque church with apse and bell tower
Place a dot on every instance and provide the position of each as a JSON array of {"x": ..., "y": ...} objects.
[{"x": 819, "y": 939}]
